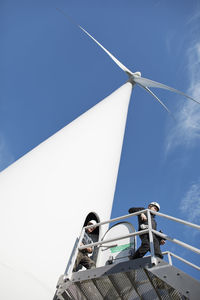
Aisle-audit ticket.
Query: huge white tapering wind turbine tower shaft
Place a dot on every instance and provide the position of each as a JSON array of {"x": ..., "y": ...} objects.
[{"x": 46, "y": 195}]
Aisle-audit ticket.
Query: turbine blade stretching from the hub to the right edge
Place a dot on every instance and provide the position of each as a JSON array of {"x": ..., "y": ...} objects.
[{"x": 150, "y": 83}]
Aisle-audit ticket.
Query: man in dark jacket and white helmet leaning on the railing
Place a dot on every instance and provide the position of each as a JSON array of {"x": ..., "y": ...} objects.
[{"x": 143, "y": 224}]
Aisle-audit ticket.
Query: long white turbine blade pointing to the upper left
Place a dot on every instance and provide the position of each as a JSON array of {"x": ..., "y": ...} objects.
[{"x": 125, "y": 69}]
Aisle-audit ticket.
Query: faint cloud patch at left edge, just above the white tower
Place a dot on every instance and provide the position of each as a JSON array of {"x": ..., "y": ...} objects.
[{"x": 6, "y": 157}]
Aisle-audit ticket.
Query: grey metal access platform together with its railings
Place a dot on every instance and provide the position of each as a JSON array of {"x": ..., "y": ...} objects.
[{"x": 146, "y": 278}]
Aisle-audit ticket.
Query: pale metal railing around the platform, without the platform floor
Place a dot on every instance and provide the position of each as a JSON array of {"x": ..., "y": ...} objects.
[{"x": 149, "y": 230}]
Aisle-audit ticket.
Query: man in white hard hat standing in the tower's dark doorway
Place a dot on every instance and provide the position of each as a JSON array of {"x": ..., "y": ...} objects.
[{"x": 82, "y": 257}]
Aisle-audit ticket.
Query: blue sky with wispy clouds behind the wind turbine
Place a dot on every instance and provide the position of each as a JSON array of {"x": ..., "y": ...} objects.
[{"x": 51, "y": 72}]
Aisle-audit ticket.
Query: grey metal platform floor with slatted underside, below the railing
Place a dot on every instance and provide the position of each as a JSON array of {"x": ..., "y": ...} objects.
[{"x": 131, "y": 280}]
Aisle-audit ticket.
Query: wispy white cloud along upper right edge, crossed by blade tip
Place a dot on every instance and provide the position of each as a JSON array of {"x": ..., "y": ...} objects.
[{"x": 186, "y": 130}]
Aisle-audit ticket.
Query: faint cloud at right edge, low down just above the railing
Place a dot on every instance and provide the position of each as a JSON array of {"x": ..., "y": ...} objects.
[{"x": 190, "y": 204}]
